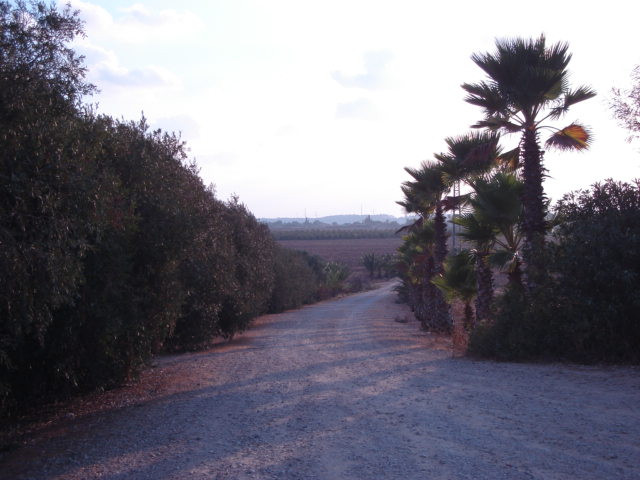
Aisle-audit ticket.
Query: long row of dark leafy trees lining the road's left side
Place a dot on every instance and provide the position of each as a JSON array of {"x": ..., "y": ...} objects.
[{"x": 111, "y": 247}]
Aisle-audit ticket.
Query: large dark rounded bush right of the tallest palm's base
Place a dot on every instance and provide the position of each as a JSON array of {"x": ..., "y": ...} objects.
[{"x": 589, "y": 311}]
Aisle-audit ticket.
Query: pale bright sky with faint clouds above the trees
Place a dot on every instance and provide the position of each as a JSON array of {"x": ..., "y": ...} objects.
[{"x": 314, "y": 108}]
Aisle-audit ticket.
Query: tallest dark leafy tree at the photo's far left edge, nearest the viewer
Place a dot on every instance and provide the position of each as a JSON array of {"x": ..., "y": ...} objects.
[{"x": 48, "y": 190}]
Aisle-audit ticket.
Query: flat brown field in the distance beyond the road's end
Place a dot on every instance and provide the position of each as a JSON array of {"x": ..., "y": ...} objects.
[{"x": 348, "y": 251}]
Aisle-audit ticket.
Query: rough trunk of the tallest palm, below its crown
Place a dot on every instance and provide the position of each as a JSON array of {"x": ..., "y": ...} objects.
[{"x": 533, "y": 203}]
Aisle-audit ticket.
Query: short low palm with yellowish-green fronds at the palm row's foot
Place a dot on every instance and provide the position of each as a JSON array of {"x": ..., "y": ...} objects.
[{"x": 457, "y": 281}]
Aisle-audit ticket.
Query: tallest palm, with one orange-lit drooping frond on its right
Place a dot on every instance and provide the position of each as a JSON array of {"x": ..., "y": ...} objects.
[{"x": 528, "y": 85}]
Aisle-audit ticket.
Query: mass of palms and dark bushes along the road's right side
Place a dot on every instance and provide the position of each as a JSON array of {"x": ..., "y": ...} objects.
[{"x": 569, "y": 273}]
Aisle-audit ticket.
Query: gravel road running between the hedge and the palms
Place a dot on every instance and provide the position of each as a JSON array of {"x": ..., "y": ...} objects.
[{"x": 340, "y": 391}]
